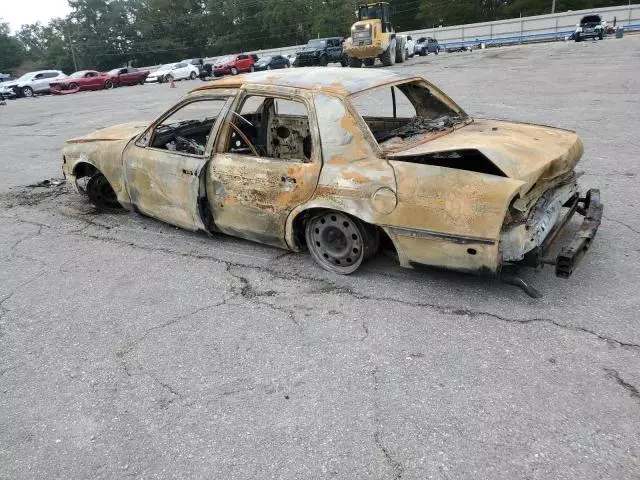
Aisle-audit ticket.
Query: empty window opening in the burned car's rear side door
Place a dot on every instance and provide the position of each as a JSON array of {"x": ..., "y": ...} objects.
[{"x": 275, "y": 128}]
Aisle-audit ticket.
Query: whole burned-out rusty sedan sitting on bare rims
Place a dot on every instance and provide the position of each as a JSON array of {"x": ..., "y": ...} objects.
[{"x": 342, "y": 162}]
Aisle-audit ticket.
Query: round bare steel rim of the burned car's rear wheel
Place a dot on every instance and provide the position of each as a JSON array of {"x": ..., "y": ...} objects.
[{"x": 336, "y": 242}]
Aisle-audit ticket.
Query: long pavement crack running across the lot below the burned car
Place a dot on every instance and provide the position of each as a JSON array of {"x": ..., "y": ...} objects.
[{"x": 329, "y": 287}]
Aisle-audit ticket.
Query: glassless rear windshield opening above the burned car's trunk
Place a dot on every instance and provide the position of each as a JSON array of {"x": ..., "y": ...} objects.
[{"x": 402, "y": 114}]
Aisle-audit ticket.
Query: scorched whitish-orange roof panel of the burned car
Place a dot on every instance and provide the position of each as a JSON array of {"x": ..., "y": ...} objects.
[{"x": 344, "y": 81}]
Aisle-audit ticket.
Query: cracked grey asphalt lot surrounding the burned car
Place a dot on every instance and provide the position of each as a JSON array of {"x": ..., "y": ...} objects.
[{"x": 132, "y": 349}]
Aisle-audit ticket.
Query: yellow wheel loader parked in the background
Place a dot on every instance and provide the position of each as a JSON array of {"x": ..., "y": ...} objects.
[{"x": 373, "y": 36}]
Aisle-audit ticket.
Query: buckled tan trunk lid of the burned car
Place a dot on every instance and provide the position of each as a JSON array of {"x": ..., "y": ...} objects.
[{"x": 525, "y": 152}]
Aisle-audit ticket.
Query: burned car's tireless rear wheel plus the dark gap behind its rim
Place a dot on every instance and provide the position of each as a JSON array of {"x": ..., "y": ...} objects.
[{"x": 337, "y": 242}]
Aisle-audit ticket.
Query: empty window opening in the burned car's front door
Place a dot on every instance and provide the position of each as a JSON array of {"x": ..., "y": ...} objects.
[{"x": 187, "y": 130}]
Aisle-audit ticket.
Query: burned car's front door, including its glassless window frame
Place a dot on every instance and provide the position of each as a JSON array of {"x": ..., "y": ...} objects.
[{"x": 164, "y": 181}]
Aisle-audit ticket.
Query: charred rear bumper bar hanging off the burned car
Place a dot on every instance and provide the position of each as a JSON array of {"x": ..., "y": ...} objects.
[{"x": 591, "y": 208}]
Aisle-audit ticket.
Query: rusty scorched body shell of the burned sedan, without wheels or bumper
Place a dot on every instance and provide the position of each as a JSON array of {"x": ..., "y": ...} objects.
[{"x": 436, "y": 215}]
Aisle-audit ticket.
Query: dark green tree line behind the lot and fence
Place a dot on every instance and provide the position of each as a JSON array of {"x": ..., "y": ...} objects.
[{"x": 103, "y": 34}]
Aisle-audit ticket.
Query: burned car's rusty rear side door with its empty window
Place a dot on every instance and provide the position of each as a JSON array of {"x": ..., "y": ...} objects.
[{"x": 251, "y": 195}]
